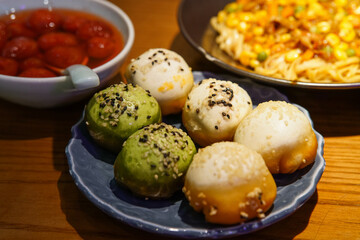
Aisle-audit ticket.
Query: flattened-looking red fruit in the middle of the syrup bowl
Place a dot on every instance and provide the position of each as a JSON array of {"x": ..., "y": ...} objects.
[{"x": 53, "y": 39}]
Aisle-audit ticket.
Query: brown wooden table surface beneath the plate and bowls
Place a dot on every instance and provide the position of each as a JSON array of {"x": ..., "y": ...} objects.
[{"x": 39, "y": 200}]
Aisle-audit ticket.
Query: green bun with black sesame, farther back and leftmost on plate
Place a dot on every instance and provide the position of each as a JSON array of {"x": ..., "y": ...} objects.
[{"x": 118, "y": 111}]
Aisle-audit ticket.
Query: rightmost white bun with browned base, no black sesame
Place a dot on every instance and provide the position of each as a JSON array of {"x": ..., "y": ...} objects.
[{"x": 281, "y": 133}]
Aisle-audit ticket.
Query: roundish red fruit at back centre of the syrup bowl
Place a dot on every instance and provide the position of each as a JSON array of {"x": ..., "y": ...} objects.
[{"x": 44, "y": 20}]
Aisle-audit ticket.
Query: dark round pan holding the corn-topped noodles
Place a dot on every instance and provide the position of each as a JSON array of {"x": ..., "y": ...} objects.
[{"x": 194, "y": 25}]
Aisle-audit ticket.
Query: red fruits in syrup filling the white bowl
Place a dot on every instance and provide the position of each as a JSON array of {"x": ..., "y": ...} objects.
[{"x": 43, "y": 42}]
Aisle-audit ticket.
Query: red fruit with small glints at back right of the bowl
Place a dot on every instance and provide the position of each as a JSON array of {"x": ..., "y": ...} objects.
[{"x": 93, "y": 29}]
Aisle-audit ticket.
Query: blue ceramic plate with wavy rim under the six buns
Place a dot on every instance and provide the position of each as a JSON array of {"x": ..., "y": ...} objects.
[{"x": 92, "y": 170}]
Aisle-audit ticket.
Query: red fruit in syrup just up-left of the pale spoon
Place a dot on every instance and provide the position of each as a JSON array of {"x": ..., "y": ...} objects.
[{"x": 64, "y": 56}]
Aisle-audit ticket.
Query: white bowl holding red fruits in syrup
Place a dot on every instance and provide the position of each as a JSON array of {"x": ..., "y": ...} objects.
[{"x": 56, "y": 91}]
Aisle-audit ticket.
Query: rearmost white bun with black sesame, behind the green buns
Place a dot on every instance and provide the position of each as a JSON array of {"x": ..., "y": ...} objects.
[{"x": 165, "y": 74}]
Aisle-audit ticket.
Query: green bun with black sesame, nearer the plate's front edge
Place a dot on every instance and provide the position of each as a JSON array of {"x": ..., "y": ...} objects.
[{"x": 154, "y": 160}]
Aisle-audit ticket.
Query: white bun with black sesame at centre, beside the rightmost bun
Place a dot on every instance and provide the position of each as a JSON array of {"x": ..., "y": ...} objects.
[{"x": 213, "y": 110}]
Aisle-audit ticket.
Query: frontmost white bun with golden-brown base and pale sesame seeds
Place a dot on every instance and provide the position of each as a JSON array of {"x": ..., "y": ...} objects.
[{"x": 229, "y": 183}]
